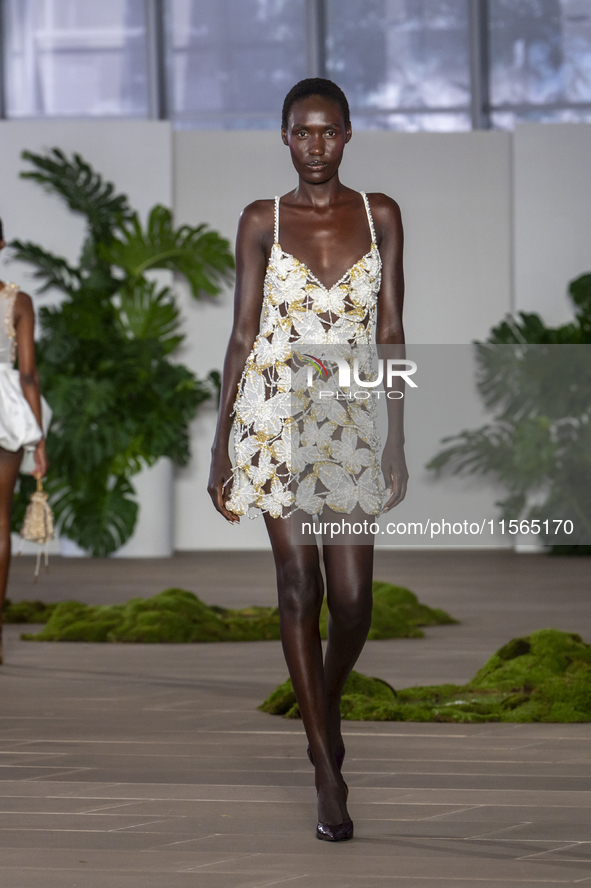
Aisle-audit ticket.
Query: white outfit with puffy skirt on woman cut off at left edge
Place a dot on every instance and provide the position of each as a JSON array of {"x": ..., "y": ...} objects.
[{"x": 18, "y": 426}]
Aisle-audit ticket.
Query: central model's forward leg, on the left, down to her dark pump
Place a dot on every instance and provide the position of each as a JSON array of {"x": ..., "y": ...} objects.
[{"x": 300, "y": 588}]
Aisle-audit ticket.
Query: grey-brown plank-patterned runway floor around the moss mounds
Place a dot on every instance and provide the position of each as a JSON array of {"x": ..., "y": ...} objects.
[{"x": 150, "y": 766}]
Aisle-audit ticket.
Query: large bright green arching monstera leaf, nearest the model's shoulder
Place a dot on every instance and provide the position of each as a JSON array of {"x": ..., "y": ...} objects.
[{"x": 199, "y": 254}]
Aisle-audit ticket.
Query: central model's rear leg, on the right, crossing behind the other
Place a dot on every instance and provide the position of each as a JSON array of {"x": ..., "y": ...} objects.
[{"x": 349, "y": 572}]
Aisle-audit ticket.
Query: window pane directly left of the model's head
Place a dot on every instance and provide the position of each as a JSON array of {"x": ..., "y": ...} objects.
[{"x": 233, "y": 61}]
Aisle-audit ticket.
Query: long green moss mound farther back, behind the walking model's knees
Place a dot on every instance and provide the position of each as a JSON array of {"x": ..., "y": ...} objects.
[{"x": 178, "y": 616}]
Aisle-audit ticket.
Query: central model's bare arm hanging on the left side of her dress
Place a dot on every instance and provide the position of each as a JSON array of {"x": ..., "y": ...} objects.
[{"x": 254, "y": 230}]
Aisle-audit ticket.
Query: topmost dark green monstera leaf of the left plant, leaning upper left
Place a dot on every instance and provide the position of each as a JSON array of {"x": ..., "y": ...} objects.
[{"x": 83, "y": 189}]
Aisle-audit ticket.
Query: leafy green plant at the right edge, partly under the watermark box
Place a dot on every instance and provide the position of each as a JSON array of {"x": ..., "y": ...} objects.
[{"x": 537, "y": 379}]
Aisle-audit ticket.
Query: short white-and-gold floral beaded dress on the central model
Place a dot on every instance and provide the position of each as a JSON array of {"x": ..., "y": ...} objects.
[{"x": 293, "y": 449}]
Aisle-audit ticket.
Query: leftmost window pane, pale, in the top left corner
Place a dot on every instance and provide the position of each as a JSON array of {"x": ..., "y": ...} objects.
[{"x": 74, "y": 57}]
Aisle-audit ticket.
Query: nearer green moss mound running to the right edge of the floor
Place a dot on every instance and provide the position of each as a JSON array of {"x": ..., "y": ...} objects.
[{"x": 545, "y": 677}]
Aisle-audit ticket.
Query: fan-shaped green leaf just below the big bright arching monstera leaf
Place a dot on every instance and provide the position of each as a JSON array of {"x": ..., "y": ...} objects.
[{"x": 144, "y": 312}]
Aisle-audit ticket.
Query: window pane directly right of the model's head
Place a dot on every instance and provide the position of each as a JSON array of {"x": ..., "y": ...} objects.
[{"x": 397, "y": 54}]
